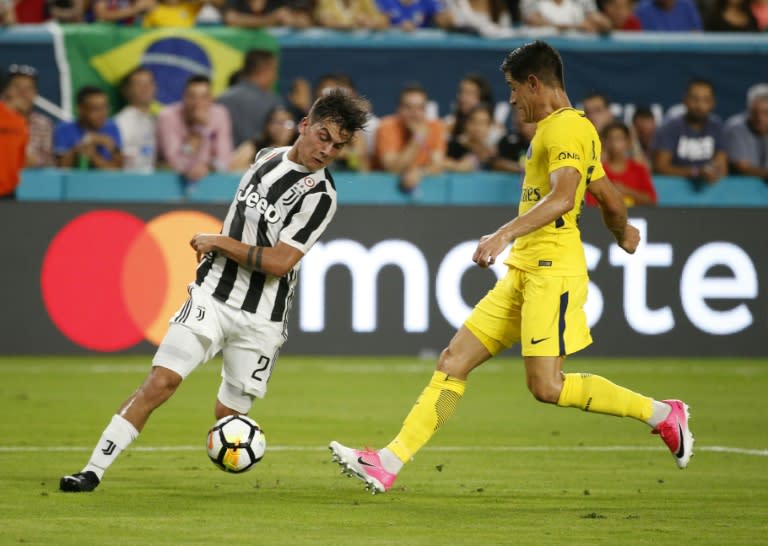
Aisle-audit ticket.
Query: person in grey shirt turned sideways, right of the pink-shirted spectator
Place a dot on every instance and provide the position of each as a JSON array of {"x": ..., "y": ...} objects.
[{"x": 251, "y": 98}]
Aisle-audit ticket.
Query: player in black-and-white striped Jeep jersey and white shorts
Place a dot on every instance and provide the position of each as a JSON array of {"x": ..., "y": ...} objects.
[{"x": 239, "y": 303}]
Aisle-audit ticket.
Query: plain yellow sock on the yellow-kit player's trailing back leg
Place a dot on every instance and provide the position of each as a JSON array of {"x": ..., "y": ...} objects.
[{"x": 597, "y": 394}]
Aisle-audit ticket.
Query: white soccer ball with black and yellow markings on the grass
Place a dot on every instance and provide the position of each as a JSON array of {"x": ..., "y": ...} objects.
[{"x": 236, "y": 443}]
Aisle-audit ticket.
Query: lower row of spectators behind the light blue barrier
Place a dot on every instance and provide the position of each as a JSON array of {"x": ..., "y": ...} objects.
[{"x": 200, "y": 134}]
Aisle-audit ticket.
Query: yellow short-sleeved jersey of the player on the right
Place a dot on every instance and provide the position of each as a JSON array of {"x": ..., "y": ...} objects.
[{"x": 565, "y": 138}]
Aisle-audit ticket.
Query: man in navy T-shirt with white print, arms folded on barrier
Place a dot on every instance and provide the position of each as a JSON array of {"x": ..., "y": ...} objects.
[{"x": 692, "y": 144}]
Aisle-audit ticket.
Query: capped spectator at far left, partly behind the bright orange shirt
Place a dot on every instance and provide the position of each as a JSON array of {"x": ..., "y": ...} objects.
[{"x": 22, "y": 82}]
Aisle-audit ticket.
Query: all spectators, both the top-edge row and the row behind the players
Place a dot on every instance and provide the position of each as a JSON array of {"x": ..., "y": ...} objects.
[{"x": 200, "y": 134}]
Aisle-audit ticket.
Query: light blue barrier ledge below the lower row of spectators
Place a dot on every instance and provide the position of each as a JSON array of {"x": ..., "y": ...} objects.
[{"x": 481, "y": 188}]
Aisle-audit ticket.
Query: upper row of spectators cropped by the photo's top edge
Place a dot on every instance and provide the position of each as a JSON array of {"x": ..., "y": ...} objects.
[{"x": 488, "y": 18}]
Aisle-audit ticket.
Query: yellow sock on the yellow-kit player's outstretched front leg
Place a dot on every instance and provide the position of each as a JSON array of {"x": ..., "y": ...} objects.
[{"x": 436, "y": 404}]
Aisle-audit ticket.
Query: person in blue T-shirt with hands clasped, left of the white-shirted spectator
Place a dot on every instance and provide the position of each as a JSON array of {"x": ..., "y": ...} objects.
[{"x": 92, "y": 141}]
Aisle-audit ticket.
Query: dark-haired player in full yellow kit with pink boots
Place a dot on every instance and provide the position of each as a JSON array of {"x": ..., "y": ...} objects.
[{"x": 539, "y": 303}]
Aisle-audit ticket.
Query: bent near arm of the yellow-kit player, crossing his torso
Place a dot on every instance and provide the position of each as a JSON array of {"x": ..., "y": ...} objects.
[{"x": 557, "y": 202}]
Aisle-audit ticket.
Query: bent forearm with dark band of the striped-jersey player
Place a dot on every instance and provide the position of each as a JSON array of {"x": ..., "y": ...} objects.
[{"x": 275, "y": 260}]
